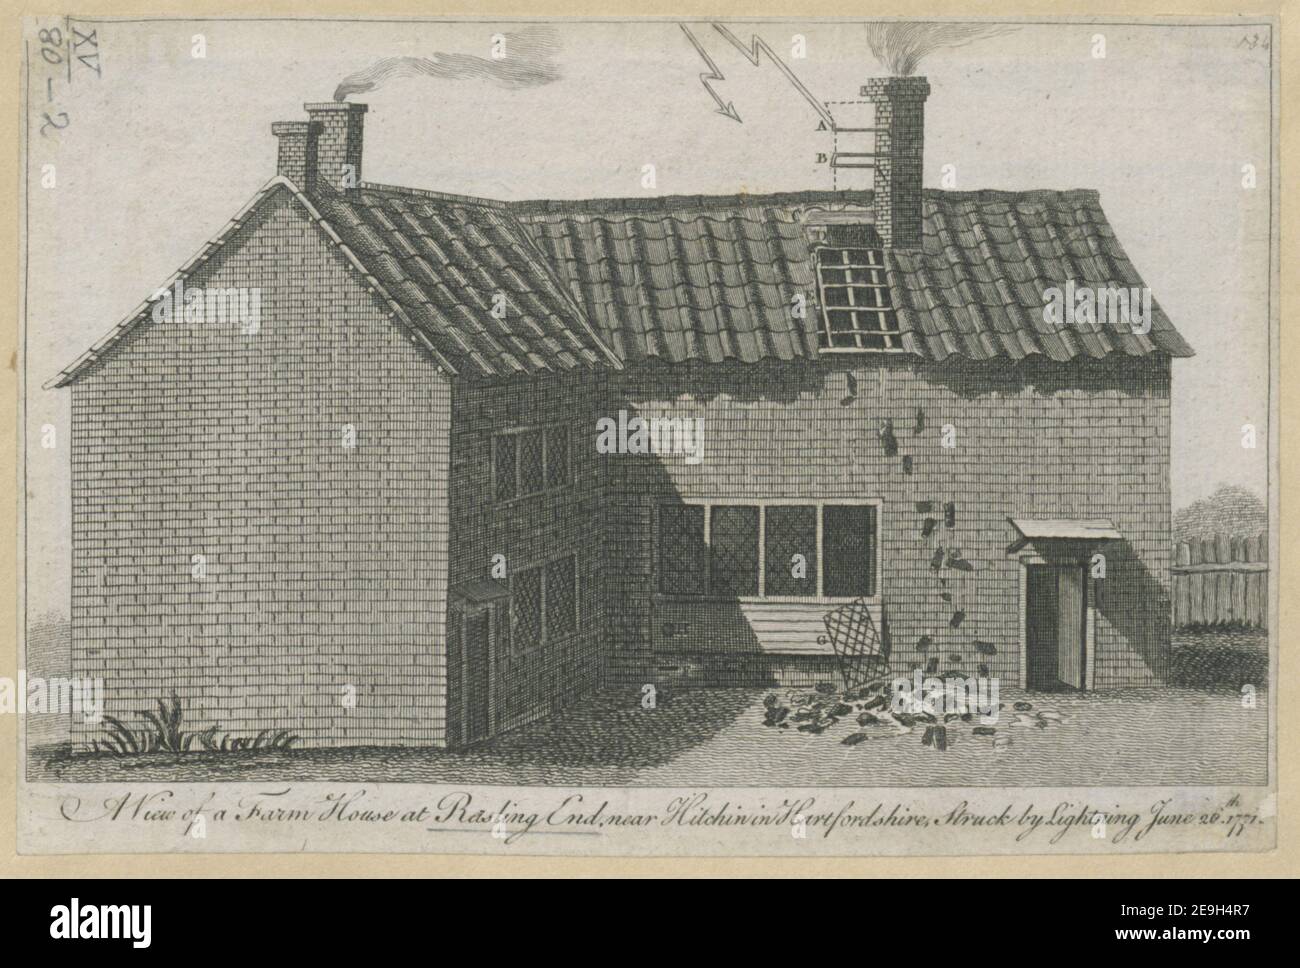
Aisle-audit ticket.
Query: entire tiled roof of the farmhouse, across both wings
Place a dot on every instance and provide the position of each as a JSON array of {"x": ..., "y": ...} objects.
[{"x": 600, "y": 284}]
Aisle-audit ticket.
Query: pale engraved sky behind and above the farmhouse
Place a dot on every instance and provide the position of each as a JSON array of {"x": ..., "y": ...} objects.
[{"x": 155, "y": 154}]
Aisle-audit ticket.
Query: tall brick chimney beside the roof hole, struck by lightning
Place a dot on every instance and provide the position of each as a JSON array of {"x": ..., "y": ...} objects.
[{"x": 900, "y": 129}]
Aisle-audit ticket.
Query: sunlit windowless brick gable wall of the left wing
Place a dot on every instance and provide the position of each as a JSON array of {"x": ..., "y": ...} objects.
[{"x": 326, "y": 566}]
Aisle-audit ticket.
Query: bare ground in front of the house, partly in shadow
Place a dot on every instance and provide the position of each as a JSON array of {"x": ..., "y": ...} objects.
[{"x": 1195, "y": 731}]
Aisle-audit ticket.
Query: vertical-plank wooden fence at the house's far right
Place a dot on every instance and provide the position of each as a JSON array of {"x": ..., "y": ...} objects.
[{"x": 1221, "y": 580}]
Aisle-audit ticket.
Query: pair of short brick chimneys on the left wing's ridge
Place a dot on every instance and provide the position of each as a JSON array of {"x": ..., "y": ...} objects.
[{"x": 323, "y": 154}]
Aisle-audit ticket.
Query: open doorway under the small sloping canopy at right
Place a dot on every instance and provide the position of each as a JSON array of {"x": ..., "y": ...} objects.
[{"x": 1056, "y": 624}]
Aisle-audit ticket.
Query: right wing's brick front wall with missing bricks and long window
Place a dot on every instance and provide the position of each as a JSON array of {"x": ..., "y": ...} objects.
[{"x": 1034, "y": 440}]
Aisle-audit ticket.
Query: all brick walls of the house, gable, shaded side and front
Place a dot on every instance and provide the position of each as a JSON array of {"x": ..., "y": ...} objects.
[{"x": 330, "y": 567}]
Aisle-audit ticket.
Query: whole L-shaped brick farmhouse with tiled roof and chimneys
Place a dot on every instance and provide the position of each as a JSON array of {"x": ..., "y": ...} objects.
[{"x": 382, "y": 516}]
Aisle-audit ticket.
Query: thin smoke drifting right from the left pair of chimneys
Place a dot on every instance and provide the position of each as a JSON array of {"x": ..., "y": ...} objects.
[{"x": 528, "y": 62}]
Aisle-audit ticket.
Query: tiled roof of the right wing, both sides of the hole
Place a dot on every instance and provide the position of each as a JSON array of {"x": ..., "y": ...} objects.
[{"x": 714, "y": 279}]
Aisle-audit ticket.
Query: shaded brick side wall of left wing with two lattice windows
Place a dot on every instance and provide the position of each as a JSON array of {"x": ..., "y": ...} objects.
[{"x": 532, "y": 529}]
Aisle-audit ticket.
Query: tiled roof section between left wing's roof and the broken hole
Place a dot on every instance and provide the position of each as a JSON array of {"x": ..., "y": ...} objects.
[{"x": 691, "y": 279}]
